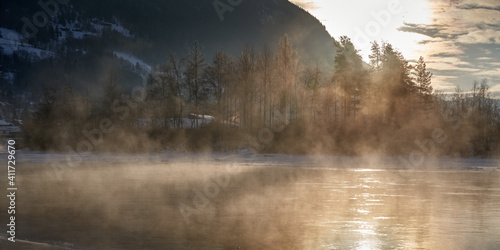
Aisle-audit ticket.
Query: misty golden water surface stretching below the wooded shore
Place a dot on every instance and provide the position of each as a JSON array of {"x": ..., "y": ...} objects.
[{"x": 265, "y": 207}]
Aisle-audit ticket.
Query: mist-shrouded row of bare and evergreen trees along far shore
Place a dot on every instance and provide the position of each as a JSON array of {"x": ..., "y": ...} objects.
[{"x": 384, "y": 106}]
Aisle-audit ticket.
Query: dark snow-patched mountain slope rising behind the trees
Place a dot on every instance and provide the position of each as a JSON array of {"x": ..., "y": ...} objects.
[{"x": 58, "y": 42}]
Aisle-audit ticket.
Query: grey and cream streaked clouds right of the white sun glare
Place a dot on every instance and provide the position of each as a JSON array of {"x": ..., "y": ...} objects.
[{"x": 463, "y": 42}]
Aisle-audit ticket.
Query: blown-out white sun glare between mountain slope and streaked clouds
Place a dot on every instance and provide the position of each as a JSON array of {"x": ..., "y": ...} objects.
[{"x": 367, "y": 20}]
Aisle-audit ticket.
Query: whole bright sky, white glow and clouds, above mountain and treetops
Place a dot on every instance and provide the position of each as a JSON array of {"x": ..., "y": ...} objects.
[{"x": 459, "y": 39}]
